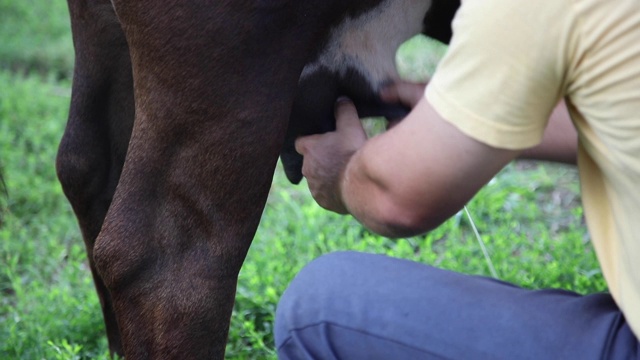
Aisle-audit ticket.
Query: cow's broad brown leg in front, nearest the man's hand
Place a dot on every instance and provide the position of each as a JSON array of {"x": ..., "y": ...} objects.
[{"x": 214, "y": 83}]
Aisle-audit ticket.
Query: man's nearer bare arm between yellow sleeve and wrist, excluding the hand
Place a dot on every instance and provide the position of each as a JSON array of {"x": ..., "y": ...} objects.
[{"x": 418, "y": 174}]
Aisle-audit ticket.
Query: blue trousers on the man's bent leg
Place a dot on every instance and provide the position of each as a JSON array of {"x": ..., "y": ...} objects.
[{"x": 352, "y": 306}]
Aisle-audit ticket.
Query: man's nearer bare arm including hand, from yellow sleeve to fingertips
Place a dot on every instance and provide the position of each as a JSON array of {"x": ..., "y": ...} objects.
[{"x": 403, "y": 182}]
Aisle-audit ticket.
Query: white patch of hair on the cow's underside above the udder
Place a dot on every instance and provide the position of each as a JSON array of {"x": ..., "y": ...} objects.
[{"x": 368, "y": 43}]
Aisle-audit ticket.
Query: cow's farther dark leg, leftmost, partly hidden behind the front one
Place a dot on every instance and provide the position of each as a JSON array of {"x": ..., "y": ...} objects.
[{"x": 94, "y": 145}]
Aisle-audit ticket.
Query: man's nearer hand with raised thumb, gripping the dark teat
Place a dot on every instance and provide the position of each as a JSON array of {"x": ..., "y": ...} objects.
[{"x": 326, "y": 156}]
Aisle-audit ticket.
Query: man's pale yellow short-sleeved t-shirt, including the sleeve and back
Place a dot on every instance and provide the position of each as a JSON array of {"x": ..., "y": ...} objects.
[{"x": 508, "y": 65}]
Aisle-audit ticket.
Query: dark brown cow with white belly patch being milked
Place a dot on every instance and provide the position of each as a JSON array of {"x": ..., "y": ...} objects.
[{"x": 178, "y": 114}]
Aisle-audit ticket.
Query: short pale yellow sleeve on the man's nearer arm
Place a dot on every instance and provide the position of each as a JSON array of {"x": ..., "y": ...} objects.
[{"x": 504, "y": 71}]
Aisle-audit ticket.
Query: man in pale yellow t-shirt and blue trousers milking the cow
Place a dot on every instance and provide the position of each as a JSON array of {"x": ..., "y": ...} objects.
[{"x": 491, "y": 100}]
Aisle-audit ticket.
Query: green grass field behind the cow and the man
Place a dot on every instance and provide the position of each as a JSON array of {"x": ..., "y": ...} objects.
[{"x": 529, "y": 216}]
